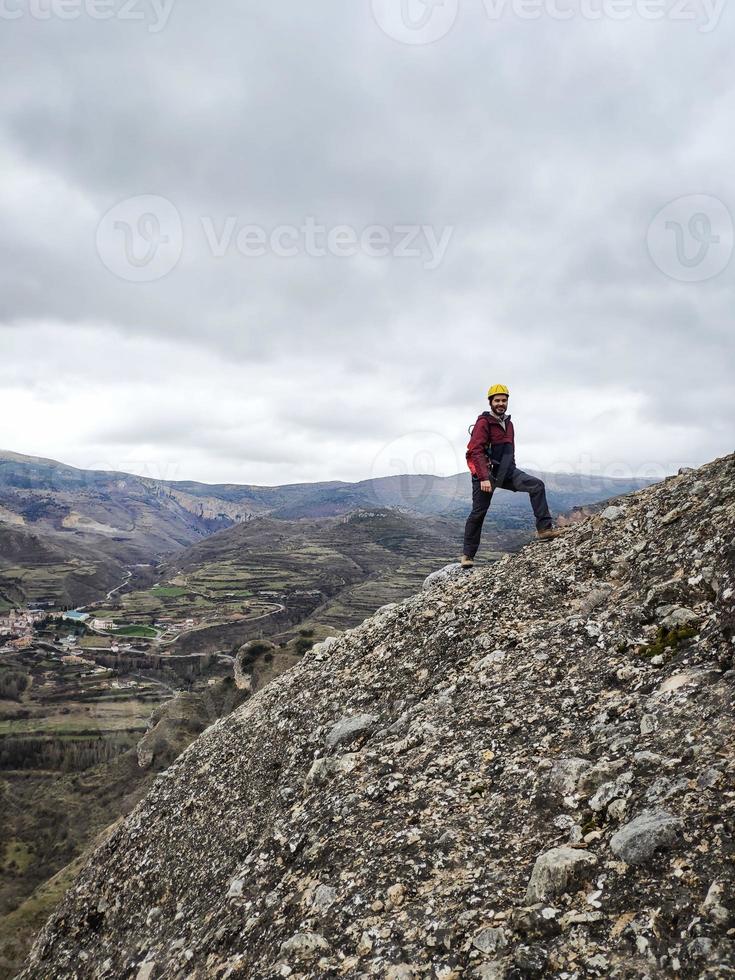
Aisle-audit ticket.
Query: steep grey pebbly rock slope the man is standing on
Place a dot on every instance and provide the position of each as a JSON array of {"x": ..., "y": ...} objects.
[{"x": 461, "y": 786}]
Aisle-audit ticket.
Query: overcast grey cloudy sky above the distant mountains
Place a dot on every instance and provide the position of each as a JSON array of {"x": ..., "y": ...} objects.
[{"x": 280, "y": 242}]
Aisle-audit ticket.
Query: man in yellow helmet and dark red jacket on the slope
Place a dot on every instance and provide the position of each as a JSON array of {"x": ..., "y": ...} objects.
[{"x": 491, "y": 460}]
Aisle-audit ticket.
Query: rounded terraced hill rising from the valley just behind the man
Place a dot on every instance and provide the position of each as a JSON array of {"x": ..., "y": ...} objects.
[{"x": 265, "y": 576}]
